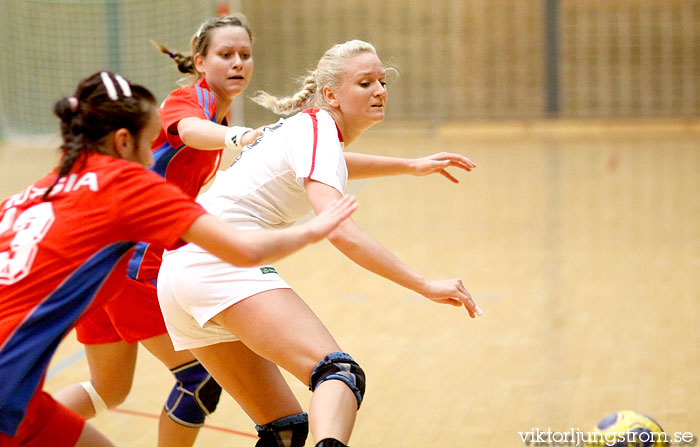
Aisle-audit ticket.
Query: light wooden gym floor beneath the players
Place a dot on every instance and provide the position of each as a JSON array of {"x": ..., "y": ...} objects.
[{"x": 581, "y": 242}]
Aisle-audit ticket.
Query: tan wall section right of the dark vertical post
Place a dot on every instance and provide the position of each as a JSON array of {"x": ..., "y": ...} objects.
[{"x": 630, "y": 58}]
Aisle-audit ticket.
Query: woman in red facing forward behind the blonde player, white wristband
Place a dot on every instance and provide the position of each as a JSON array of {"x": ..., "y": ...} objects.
[{"x": 187, "y": 151}]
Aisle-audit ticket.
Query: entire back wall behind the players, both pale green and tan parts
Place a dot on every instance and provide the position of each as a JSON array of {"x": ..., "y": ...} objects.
[{"x": 458, "y": 59}]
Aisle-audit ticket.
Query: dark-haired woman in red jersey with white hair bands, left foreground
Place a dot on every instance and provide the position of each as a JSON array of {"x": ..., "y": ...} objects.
[{"x": 67, "y": 237}]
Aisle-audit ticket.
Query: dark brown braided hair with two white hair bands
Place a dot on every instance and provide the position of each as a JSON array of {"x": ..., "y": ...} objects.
[{"x": 102, "y": 103}]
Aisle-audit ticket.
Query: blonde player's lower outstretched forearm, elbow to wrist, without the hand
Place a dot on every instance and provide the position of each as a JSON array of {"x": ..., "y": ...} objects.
[{"x": 367, "y": 252}]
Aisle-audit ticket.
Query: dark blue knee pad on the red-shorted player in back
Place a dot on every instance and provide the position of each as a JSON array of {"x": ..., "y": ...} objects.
[{"x": 194, "y": 396}]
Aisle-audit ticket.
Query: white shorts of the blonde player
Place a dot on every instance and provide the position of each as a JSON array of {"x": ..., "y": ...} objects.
[{"x": 193, "y": 287}]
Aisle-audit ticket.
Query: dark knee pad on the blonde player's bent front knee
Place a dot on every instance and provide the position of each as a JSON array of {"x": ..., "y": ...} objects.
[{"x": 340, "y": 366}]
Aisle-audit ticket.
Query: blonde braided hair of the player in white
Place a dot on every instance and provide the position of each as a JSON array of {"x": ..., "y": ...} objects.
[{"x": 329, "y": 71}]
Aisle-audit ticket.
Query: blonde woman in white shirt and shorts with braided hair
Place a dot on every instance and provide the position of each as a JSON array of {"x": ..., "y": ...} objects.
[{"x": 241, "y": 323}]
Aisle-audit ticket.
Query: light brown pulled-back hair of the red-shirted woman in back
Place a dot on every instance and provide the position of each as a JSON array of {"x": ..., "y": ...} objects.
[{"x": 201, "y": 40}]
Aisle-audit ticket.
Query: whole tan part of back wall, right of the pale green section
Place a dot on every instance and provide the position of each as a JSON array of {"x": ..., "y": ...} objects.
[{"x": 487, "y": 59}]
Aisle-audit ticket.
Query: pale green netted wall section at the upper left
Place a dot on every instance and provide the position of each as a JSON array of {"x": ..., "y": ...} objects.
[{"x": 47, "y": 46}]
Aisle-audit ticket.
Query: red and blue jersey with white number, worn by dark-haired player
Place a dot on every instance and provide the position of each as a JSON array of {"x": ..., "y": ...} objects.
[{"x": 56, "y": 254}]
